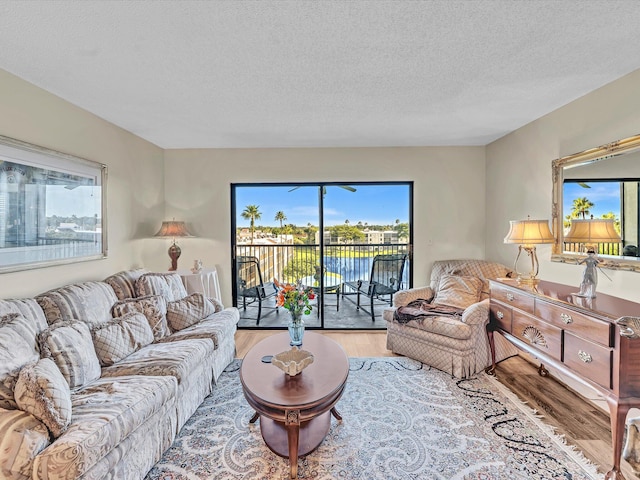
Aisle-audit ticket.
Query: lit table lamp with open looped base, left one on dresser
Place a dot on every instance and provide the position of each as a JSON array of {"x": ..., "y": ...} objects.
[{"x": 527, "y": 234}]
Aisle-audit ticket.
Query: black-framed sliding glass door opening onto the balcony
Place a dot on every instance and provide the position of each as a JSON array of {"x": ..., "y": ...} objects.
[{"x": 350, "y": 243}]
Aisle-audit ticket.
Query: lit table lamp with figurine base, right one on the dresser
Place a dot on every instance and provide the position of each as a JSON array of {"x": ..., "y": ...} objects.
[{"x": 590, "y": 233}]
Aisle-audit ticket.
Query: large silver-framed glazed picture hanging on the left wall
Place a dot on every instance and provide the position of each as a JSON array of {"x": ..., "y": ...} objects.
[{"x": 51, "y": 207}]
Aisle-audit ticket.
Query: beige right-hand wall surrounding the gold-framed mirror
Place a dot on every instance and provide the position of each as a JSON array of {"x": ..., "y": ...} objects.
[{"x": 519, "y": 173}]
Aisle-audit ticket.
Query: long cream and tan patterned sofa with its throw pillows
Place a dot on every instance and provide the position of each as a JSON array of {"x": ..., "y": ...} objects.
[{"x": 97, "y": 378}]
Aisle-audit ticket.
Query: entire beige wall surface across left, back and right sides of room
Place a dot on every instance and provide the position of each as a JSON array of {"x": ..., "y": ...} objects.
[{"x": 456, "y": 209}]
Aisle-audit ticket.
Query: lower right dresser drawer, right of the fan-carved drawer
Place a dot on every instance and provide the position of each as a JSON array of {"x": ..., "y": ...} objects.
[{"x": 588, "y": 359}]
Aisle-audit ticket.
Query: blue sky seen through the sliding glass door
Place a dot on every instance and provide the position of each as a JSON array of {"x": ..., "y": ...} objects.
[{"x": 372, "y": 204}]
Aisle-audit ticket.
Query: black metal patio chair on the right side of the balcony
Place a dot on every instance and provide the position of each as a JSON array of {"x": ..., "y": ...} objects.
[{"x": 385, "y": 279}]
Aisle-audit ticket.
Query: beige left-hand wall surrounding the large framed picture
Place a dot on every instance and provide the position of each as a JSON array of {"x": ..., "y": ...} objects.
[{"x": 135, "y": 184}]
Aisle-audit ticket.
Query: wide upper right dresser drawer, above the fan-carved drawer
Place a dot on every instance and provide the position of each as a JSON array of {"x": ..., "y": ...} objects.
[{"x": 571, "y": 321}]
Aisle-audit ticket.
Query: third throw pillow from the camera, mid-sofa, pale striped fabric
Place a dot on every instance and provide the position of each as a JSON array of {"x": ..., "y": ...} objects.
[{"x": 121, "y": 337}]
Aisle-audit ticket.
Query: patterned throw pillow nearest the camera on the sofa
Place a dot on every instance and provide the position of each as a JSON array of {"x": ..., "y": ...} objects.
[{"x": 42, "y": 391}]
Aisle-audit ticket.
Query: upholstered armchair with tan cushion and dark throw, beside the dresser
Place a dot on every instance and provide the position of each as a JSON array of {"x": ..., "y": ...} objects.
[{"x": 451, "y": 334}]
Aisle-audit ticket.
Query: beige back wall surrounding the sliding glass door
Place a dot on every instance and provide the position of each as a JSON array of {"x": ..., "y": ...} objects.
[{"x": 449, "y": 192}]
